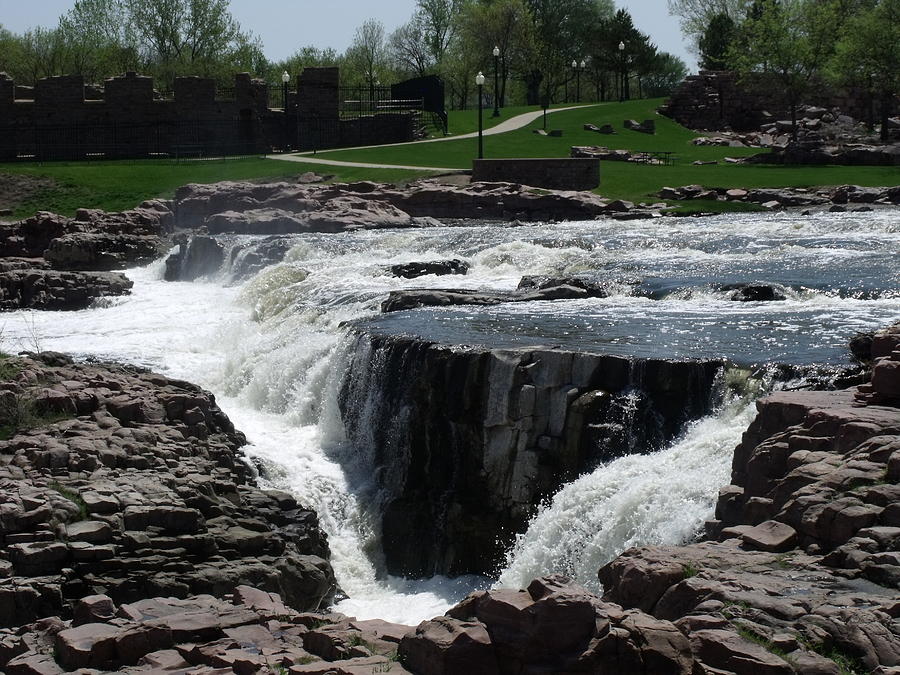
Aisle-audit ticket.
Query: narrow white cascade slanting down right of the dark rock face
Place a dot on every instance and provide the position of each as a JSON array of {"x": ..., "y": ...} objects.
[{"x": 637, "y": 500}]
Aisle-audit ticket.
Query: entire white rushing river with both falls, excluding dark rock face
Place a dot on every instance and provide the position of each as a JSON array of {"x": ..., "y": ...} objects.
[{"x": 273, "y": 352}]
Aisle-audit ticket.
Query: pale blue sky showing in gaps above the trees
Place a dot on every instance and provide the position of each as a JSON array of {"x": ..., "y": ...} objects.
[{"x": 286, "y": 25}]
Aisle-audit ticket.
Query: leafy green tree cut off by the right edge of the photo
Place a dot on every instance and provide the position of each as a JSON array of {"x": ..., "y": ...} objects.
[{"x": 869, "y": 52}]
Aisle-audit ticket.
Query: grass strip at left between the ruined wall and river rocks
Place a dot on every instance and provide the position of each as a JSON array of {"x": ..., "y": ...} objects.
[{"x": 116, "y": 186}]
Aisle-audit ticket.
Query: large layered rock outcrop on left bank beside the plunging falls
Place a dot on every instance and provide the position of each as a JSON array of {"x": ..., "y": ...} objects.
[{"x": 123, "y": 483}]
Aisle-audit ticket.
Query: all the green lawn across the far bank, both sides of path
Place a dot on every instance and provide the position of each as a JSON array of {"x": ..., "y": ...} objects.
[{"x": 120, "y": 185}]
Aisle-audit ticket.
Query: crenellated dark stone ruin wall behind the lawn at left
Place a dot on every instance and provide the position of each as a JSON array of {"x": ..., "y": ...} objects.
[{"x": 64, "y": 119}]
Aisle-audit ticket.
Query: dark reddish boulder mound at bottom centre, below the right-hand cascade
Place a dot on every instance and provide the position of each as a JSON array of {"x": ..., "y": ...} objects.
[{"x": 555, "y": 627}]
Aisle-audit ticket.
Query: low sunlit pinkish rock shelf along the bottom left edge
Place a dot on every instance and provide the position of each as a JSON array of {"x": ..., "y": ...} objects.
[{"x": 203, "y": 634}]
